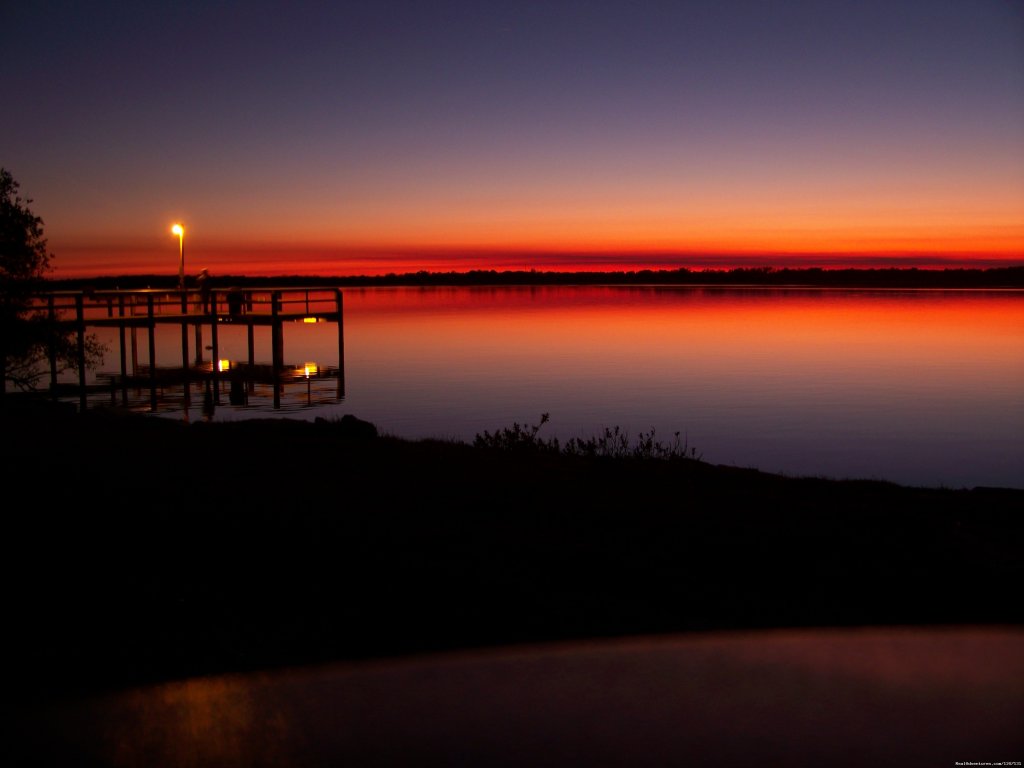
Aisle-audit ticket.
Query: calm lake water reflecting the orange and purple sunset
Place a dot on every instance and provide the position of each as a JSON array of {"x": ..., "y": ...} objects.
[{"x": 919, "y": 388}]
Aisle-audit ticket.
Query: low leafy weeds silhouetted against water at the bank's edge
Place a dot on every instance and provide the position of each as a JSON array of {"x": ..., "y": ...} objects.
[{"x": 613, "y": 443}]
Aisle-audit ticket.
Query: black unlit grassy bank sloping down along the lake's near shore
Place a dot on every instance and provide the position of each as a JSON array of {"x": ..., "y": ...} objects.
[{"x": 143, "y": 549}]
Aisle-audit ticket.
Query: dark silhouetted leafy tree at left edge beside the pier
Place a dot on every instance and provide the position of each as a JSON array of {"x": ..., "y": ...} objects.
[{"x": 28, "y": 336}]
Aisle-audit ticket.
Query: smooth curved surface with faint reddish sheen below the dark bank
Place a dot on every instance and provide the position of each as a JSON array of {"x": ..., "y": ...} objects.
[{"x": 837, "y": 698}]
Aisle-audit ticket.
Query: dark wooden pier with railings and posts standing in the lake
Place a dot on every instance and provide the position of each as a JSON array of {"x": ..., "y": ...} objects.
[{"x": 201, "y": 314}]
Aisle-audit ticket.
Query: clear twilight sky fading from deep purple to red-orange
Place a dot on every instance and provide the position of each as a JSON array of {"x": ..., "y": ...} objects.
[{"x": 379, "y": 137}]
